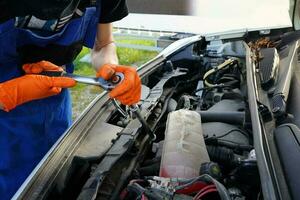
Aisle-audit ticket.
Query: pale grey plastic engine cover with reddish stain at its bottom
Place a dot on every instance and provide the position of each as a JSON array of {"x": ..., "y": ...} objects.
[{"x": 184, "y": 149}]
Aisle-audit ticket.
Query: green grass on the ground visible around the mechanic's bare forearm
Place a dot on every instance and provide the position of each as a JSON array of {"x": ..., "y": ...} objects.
[{"x": 82, "y": 94}]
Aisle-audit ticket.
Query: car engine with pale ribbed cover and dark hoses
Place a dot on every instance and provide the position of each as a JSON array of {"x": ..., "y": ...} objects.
[{"x": 203, "y": 147}]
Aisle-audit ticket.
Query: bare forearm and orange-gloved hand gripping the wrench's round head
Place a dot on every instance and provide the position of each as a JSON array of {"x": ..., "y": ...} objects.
[{"x": 105, "y": 60}]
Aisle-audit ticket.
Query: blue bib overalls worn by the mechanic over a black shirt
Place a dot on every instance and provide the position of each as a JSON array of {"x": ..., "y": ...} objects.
[{"x": 28, "y": 131}]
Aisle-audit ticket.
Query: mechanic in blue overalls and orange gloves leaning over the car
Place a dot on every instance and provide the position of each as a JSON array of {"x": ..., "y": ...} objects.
[{"x": 36, "y": 110}]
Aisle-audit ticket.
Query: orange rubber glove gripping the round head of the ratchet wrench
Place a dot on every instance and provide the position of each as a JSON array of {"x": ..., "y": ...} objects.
[{"x": 128, "y": 92}]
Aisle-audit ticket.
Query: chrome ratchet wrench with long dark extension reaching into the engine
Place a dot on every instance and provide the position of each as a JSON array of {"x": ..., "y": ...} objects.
[{"x": 106, "y": 85}]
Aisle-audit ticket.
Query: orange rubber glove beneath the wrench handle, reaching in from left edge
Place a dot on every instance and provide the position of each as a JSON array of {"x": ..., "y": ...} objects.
[{"x": 31, "y": 87}]
